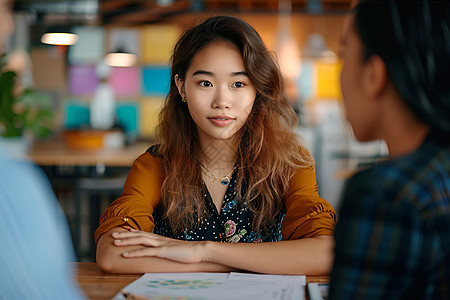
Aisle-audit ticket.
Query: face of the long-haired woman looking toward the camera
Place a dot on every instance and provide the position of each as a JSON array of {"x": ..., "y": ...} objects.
[{"x": 218, "y": 92}]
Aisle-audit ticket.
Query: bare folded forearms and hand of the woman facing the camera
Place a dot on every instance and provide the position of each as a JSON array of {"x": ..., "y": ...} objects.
[{"x": 139, "y": 252}]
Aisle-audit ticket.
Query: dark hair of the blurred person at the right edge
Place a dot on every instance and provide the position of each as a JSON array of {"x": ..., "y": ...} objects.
[{"x": 413, "y": 39}]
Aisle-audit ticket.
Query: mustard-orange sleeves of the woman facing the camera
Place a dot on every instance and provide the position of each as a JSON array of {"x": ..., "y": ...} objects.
[{"x": 307, "y": 215}]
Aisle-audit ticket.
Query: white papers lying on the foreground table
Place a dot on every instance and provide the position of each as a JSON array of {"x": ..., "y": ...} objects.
[{"x": 215, "y": 286}]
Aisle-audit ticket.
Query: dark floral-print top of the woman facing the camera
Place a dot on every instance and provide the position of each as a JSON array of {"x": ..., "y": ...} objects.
[{"x": 233, "y": 224}]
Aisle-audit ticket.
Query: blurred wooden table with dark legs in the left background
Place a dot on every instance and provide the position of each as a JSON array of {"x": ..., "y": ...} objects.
[{"x": 80, "y": 173}]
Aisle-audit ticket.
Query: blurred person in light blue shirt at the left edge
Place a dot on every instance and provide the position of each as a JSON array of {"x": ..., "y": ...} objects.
[{"x": 35, "y": 241}]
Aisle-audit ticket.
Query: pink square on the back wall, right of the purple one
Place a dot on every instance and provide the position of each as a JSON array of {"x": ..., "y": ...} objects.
[{"x": 125, "y": 81}]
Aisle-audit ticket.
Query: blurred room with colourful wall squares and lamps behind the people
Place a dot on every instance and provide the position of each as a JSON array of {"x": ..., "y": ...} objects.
[{"x": 90, "y": 76}]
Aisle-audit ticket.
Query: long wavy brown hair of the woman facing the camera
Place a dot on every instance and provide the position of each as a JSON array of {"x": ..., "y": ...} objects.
[{"x": 269, "y": 151}]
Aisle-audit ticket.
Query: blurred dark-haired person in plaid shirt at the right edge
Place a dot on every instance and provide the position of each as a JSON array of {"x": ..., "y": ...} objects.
[{"x": 393, "y": 232}]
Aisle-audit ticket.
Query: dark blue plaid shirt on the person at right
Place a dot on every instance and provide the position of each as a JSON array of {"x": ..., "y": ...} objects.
[{"x": 393, "y": 231}]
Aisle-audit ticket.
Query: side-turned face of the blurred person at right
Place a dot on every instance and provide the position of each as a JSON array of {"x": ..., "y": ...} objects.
[{"x": 360, "y": 110}]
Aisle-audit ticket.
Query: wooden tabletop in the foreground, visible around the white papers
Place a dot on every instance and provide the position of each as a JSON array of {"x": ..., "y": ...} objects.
[{"x": 98, "y": 285}]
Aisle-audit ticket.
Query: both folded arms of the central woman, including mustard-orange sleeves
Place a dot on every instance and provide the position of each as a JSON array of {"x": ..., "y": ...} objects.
[{"x": 307, "y": 225}]
